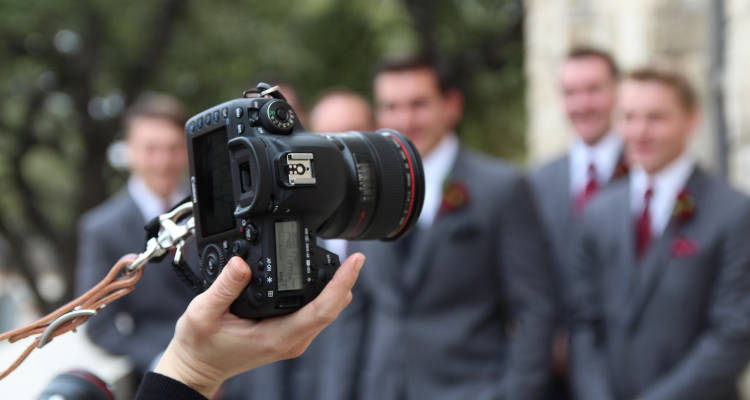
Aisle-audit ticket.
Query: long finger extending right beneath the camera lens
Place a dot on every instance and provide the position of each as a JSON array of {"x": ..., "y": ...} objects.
[{"x": 324, "y": 309}]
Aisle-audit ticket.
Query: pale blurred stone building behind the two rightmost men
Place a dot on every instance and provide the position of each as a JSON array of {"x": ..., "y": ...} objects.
[{"x": 702, "y": 38}]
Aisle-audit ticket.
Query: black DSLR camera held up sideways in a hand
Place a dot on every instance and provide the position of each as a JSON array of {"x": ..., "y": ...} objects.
[{"x": 264, "y": 189}]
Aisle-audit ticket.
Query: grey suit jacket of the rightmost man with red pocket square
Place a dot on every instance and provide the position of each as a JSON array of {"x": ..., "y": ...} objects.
[{"x": 674, "y": 324}]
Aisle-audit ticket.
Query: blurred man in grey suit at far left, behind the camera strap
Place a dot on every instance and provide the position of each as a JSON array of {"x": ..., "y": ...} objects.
[{"x": 139, "y": 325}]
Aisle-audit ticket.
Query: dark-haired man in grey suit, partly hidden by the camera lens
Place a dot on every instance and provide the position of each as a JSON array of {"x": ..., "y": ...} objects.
[{"x": 462, "y": 308}]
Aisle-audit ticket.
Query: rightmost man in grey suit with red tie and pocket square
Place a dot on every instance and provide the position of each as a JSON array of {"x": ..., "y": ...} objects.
[{"x": 662, "y": 290}]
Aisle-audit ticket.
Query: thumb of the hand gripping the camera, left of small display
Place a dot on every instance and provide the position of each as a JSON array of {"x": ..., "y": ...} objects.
[{"x": 227, "y": 287}]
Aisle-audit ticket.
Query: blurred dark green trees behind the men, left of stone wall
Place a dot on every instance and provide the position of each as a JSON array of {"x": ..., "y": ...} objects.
[{"x": 70, "y": 67}]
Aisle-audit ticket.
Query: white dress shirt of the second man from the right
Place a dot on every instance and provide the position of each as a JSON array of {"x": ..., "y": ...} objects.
[{"x": 604, "y": 155}]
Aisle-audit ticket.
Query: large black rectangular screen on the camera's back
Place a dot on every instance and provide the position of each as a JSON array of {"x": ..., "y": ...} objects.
[{"x": 213, "y": 182}]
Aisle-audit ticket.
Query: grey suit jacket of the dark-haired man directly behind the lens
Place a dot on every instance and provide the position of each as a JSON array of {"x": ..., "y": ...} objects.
[{"x": 469, "y": 315}]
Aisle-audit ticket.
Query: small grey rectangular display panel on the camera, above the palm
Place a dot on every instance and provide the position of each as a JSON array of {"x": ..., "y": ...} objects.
[{"x": 288, "y": 260}]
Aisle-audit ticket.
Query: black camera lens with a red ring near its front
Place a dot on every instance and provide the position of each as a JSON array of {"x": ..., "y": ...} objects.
[{"x": 386, "y": 190}]
